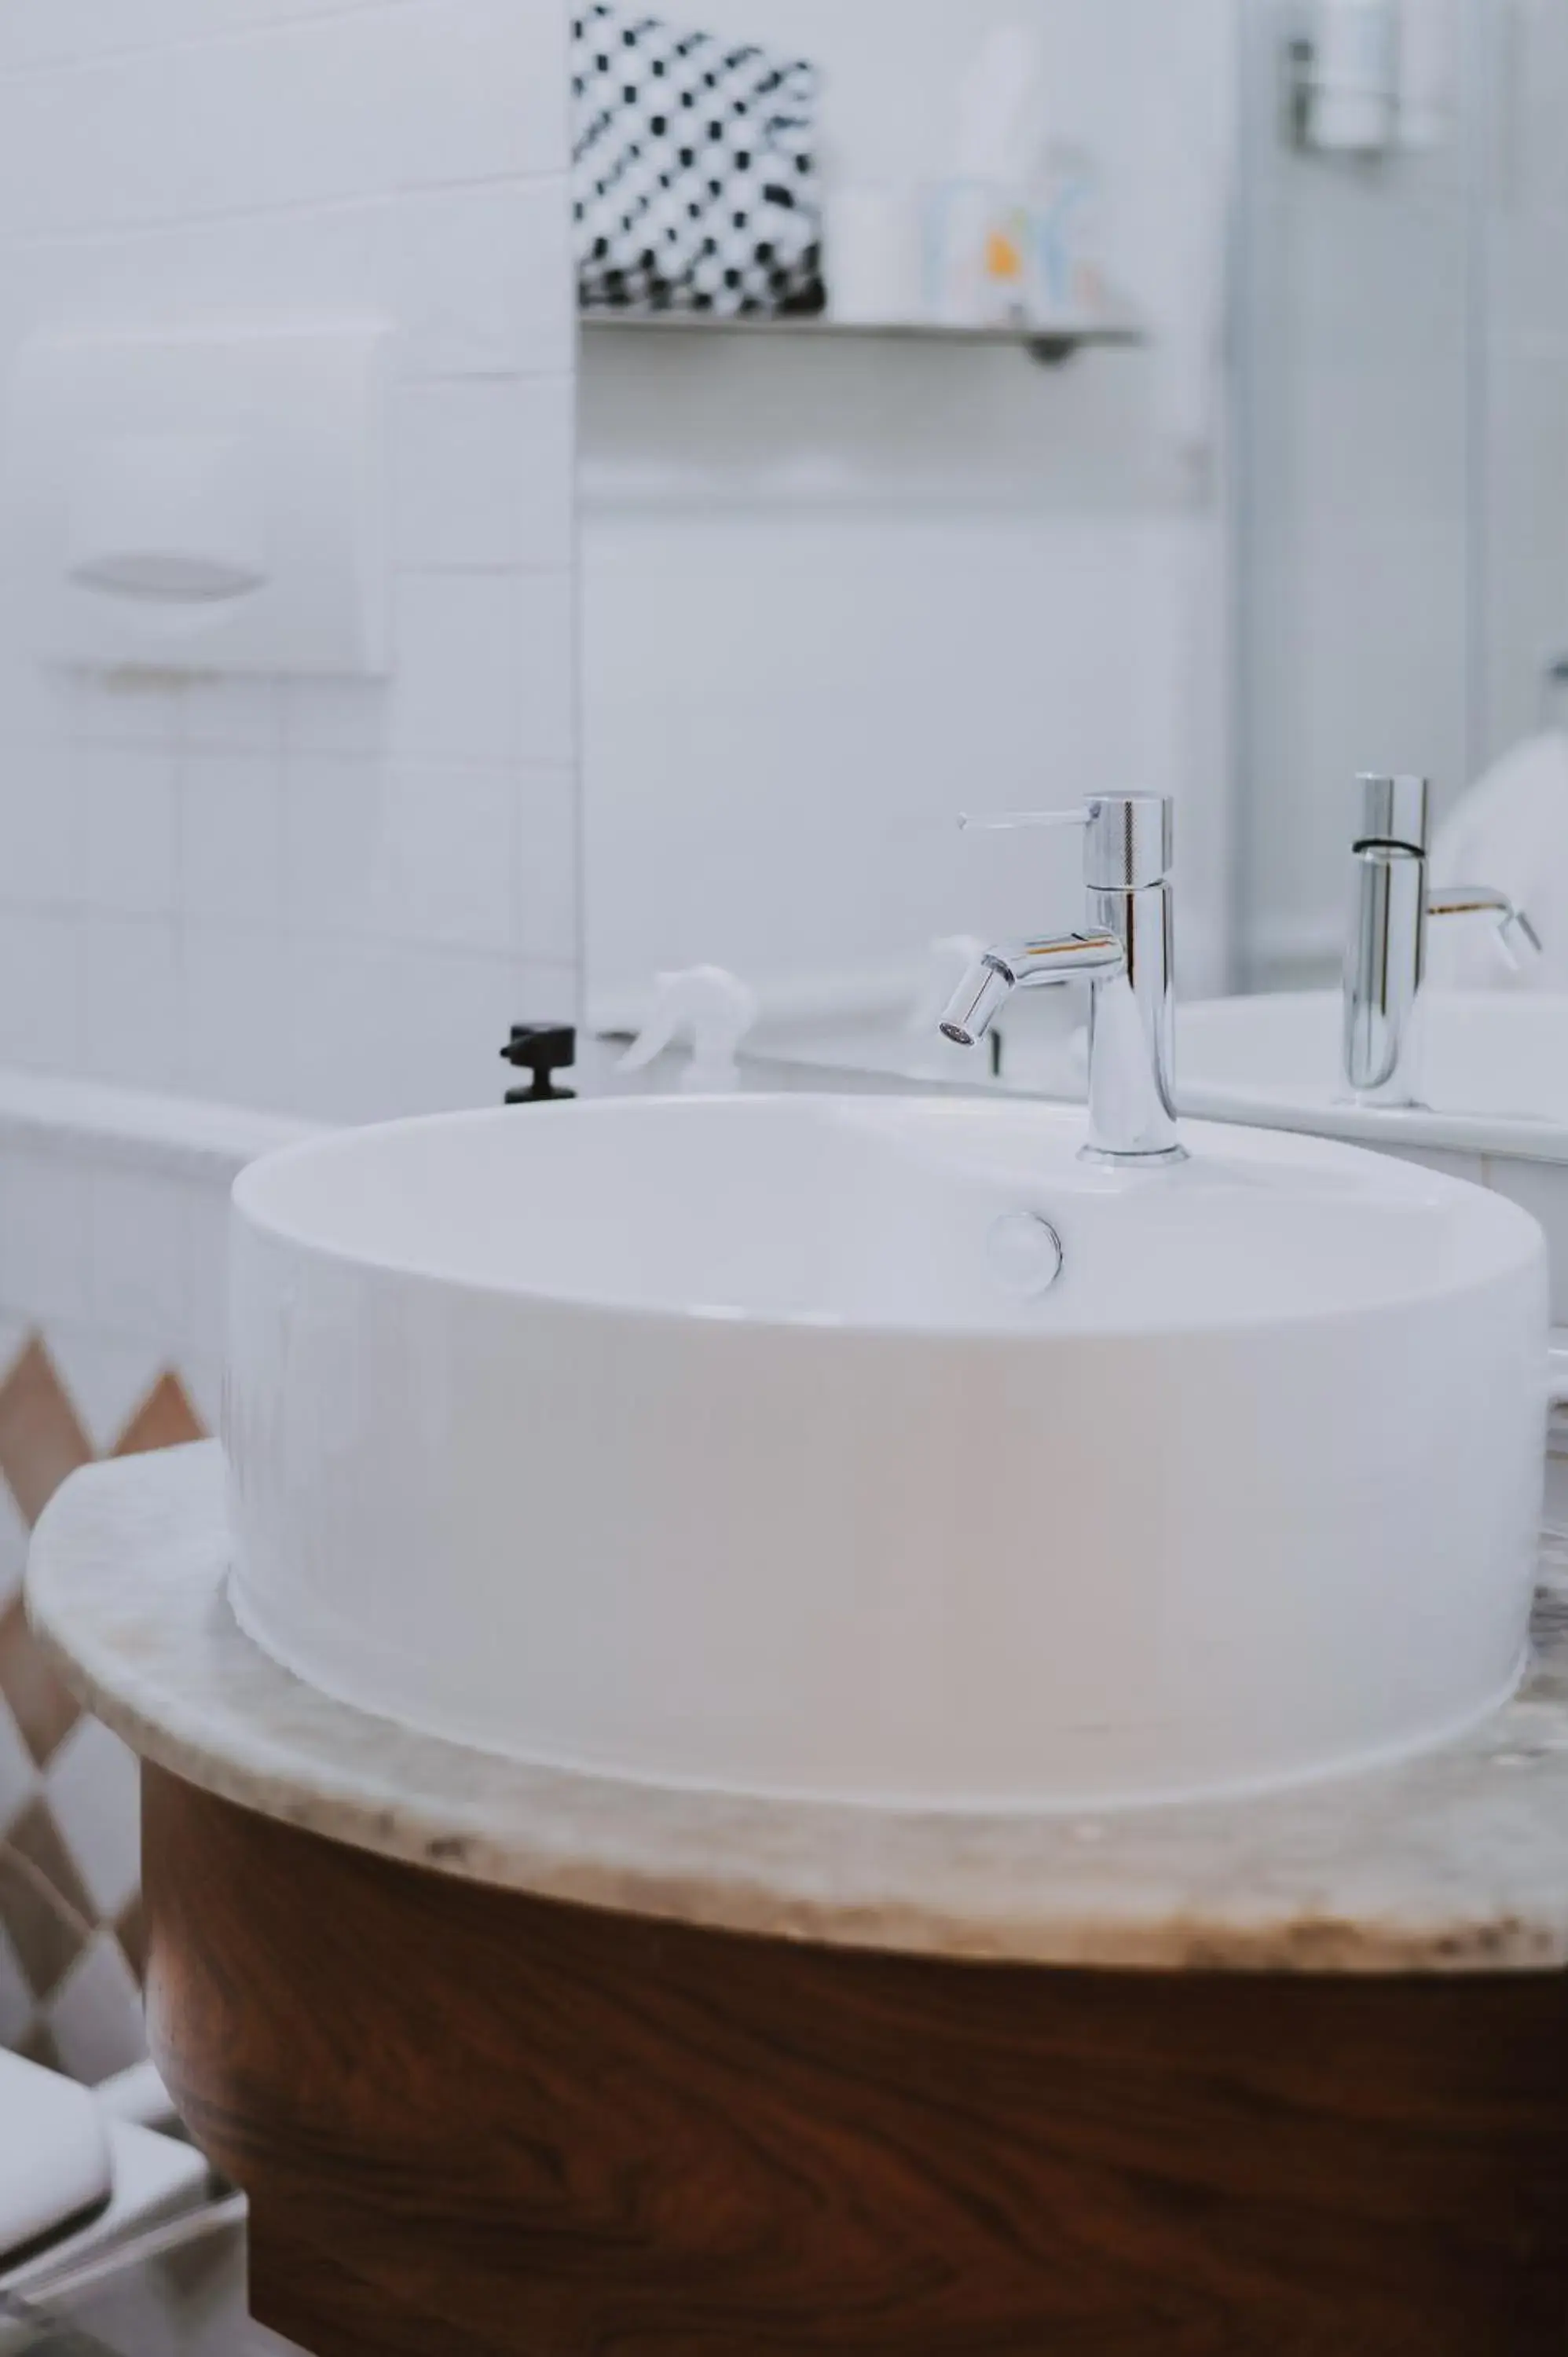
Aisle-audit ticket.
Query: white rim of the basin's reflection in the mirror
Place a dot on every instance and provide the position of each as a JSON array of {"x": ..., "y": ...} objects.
[{"x": 1520, "y": 1137}]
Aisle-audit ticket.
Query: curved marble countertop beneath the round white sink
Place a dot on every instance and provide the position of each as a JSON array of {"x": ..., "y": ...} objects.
[{"x": 1456, "y": 1863}]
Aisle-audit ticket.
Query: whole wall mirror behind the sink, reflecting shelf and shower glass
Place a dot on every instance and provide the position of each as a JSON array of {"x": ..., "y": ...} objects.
[{"x": 1166, "y": 409}]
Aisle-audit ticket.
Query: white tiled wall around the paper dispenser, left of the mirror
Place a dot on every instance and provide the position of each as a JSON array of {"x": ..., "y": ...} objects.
[{"x": 317, "y": 897}]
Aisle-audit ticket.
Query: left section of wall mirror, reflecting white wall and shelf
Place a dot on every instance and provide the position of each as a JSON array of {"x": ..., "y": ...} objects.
[{"x": 933, "y": 527}]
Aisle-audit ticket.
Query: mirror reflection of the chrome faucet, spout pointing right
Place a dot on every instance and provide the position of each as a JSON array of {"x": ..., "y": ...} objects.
[{"x": 1385, "y": 975}]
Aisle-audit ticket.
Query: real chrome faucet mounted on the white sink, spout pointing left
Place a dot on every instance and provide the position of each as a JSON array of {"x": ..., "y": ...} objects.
[{"x": 1126, "y": 953}]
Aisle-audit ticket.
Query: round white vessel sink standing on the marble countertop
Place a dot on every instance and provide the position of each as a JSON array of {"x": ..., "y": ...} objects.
[{"x": 749, "y": 1444}]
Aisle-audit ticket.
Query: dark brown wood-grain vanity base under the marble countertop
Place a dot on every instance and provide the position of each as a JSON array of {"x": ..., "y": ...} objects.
[{"x": 473, "y": 2122}]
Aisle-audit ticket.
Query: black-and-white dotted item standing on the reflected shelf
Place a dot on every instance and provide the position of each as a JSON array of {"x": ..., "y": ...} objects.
[{"x": 694, "y": 171}]
